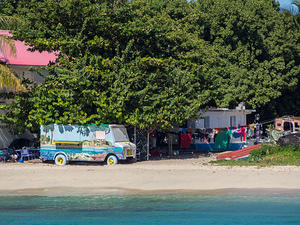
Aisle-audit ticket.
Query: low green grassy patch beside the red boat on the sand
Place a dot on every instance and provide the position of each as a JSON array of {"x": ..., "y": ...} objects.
[{"x": 267, "y": 155}]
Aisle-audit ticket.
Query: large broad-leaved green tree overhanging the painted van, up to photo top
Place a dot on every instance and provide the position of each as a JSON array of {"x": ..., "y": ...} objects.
[{"x": 134, "y": 62}]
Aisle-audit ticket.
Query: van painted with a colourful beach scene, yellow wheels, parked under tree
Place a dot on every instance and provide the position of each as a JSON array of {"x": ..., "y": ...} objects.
[{"x": 64, "y": 143}]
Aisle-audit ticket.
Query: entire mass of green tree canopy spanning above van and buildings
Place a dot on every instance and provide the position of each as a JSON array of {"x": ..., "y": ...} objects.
[{"x": 153, "y": 63}]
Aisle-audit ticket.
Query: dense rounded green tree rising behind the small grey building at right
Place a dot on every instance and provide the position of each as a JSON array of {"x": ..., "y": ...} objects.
[{"x": 256, "y": 50}]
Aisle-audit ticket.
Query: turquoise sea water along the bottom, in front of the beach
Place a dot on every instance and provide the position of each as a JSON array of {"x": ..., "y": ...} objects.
[{"x": 152, "y": 209}]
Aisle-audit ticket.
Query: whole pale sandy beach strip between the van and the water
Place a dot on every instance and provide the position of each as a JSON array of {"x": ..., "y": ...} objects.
[{"x": 189, "y": 175}]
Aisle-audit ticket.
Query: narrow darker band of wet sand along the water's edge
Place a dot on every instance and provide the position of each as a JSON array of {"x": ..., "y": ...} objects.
[{"x": 76, "y": 192}]
